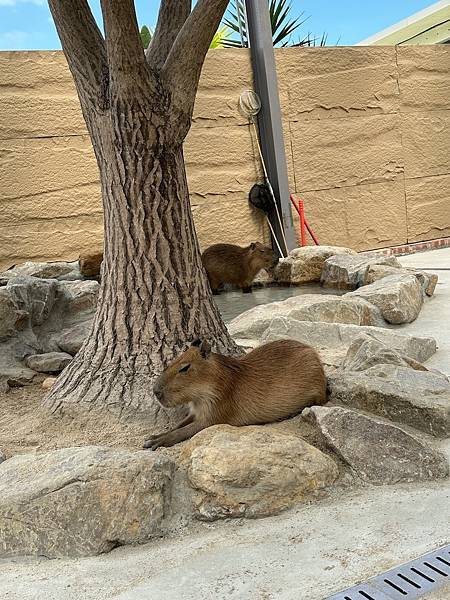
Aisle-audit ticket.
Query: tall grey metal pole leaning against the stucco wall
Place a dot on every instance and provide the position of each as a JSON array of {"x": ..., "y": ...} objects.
[{"x": 259, "y": 35}]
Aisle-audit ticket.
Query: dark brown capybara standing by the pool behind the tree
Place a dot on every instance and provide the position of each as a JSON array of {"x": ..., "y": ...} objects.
[{"x": 227, "y": 263}]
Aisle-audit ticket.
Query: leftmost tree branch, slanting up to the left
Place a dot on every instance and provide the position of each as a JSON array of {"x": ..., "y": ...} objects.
[{"x": 84, "y": 48}]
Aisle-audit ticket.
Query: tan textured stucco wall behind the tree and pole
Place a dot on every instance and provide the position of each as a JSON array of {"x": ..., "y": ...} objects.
[{"x": 366, "y": 132}]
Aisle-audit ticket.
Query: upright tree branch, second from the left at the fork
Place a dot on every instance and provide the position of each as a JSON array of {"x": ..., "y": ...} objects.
[{"x": 126, "y": 58}]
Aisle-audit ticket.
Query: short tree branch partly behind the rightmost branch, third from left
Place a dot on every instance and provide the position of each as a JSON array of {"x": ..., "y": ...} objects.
[{"x": 171, "y": 18}]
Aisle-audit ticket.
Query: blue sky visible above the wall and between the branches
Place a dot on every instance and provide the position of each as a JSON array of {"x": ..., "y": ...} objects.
[{"x": 27, "y": 24}]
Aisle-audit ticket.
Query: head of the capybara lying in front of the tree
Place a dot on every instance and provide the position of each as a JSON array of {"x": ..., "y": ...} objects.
[{"x": 187, "y": 378}]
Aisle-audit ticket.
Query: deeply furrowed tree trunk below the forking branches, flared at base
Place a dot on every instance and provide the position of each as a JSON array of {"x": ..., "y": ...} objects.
[{"x": 154, "y": 295}]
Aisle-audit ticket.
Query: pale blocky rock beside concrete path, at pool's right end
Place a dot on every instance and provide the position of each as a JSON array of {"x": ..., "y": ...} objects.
[{"x": 399, "y": 297}]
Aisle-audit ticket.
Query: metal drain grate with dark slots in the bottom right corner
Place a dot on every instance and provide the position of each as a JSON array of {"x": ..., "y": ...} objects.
[{"x": 411, "y": 580}]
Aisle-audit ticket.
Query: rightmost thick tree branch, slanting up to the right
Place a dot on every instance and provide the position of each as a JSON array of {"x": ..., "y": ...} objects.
[{"x": 184, "y": 63}]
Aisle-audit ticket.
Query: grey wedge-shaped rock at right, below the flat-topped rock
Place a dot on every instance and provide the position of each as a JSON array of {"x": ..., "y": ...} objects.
[{"x": 377, "y": 451}]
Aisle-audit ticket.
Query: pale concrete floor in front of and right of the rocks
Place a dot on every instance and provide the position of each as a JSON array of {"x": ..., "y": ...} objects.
[{"x": 305, "y": 554}]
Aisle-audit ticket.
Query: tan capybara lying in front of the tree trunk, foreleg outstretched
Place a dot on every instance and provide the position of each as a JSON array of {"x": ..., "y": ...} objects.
[{"x": 273, "y": 382}]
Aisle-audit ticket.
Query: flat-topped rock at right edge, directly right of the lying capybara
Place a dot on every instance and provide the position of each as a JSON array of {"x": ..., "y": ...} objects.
[{"x": 417, "y": 398}]
